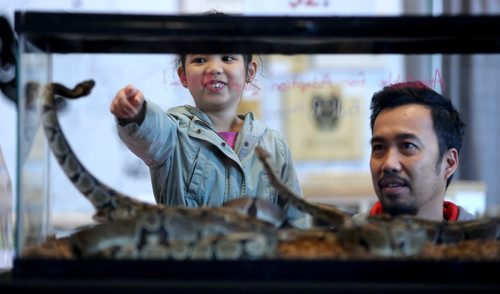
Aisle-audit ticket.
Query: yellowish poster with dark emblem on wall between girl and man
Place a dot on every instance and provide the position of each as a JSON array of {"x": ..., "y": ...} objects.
[{"x": 323, "y": 124}]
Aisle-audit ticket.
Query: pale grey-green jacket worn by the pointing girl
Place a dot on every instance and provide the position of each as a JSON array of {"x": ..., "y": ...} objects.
[{"x": 191, "y": 164}]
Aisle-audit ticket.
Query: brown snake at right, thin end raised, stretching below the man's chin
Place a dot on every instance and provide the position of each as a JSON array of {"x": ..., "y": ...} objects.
[{"x": 385, "y": 234}]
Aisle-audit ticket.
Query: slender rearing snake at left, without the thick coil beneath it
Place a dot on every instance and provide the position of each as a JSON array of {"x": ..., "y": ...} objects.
[{"x": 109, "y": 203}]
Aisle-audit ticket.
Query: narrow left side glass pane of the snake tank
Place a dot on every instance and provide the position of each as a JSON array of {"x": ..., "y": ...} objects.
[{"x": 33, "y": 199}]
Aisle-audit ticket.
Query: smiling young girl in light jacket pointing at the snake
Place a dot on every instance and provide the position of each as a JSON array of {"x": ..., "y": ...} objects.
[{"x": 205, "y": 155}]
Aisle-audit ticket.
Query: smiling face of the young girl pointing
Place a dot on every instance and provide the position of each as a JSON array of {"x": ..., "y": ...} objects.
[{"x": 216, "y": 81}]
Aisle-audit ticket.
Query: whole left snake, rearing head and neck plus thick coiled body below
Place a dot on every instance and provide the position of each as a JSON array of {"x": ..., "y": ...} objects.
[{"x": 243, "y": 228}]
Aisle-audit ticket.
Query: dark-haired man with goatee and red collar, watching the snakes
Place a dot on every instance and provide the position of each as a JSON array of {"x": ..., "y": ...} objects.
[{"x": 416, "y": 139}]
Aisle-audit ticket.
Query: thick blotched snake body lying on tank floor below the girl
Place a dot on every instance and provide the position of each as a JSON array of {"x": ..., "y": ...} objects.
[{"x": 175, "y": 236}]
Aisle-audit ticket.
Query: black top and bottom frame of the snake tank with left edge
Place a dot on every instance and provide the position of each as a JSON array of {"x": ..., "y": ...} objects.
[{"x": 41, "y": 34}]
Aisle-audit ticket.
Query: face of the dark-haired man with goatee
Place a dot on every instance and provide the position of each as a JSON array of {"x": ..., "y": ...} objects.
[{"x": 404, "y": 161}]
